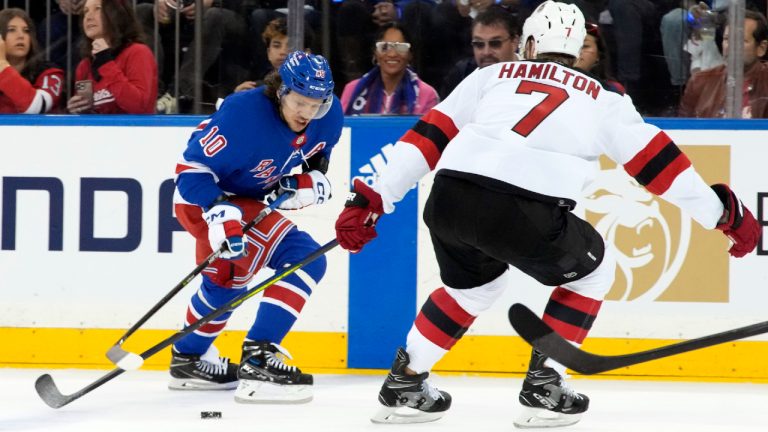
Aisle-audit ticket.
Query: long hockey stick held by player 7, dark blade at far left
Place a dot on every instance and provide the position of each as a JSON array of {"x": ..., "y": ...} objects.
[{"x": 50, "y": 394}]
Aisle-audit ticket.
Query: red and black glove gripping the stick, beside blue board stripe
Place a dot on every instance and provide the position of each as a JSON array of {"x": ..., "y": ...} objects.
[{"x": 356, "y": 224}]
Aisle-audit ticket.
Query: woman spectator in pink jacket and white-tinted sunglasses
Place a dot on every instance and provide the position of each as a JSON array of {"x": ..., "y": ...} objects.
[{"x": 391, "y": 87}]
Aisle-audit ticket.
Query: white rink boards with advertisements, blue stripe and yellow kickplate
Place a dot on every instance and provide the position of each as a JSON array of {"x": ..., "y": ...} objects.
[{"x": 89, "y": 243}]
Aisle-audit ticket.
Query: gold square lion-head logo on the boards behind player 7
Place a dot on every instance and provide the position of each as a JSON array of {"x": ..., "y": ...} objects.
[{"x": 661, "y": 253}]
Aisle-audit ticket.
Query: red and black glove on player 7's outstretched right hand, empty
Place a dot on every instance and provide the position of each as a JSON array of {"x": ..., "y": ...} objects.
[{"x": 737, "y": 222}]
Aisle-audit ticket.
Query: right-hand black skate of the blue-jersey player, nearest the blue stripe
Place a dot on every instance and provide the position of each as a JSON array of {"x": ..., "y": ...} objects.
[{"x": 264, "y": 378}]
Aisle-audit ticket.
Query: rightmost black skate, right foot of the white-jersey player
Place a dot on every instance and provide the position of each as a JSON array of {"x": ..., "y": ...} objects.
[{"x": 547, "y": 399}]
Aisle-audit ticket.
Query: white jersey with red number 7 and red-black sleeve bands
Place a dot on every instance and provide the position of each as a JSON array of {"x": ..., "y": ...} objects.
[{"x": 541, "y": 126}]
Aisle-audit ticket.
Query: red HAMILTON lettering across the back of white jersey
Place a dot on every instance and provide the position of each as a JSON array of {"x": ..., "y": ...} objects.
[{"x": 550, "y": 72}]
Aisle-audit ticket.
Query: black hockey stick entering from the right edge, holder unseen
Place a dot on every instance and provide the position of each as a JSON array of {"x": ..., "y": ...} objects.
[{"x": 537, "y": 333}]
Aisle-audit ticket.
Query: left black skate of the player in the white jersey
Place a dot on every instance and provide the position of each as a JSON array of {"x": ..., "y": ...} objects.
[{"x": 412, "y": 393}]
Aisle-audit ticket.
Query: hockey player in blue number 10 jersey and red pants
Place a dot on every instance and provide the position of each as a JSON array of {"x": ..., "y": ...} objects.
[{"x": 240, "y": 156}]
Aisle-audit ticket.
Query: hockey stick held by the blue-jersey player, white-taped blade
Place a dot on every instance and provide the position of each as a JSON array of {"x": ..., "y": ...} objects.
[{"x": 129, "y": 361}]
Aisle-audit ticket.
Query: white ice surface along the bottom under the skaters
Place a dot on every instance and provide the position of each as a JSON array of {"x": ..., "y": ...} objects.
[{"x": 139, "y": 401}]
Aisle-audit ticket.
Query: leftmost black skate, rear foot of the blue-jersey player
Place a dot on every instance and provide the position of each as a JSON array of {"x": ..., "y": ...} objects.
[{"x": 196, "y": 372}]
